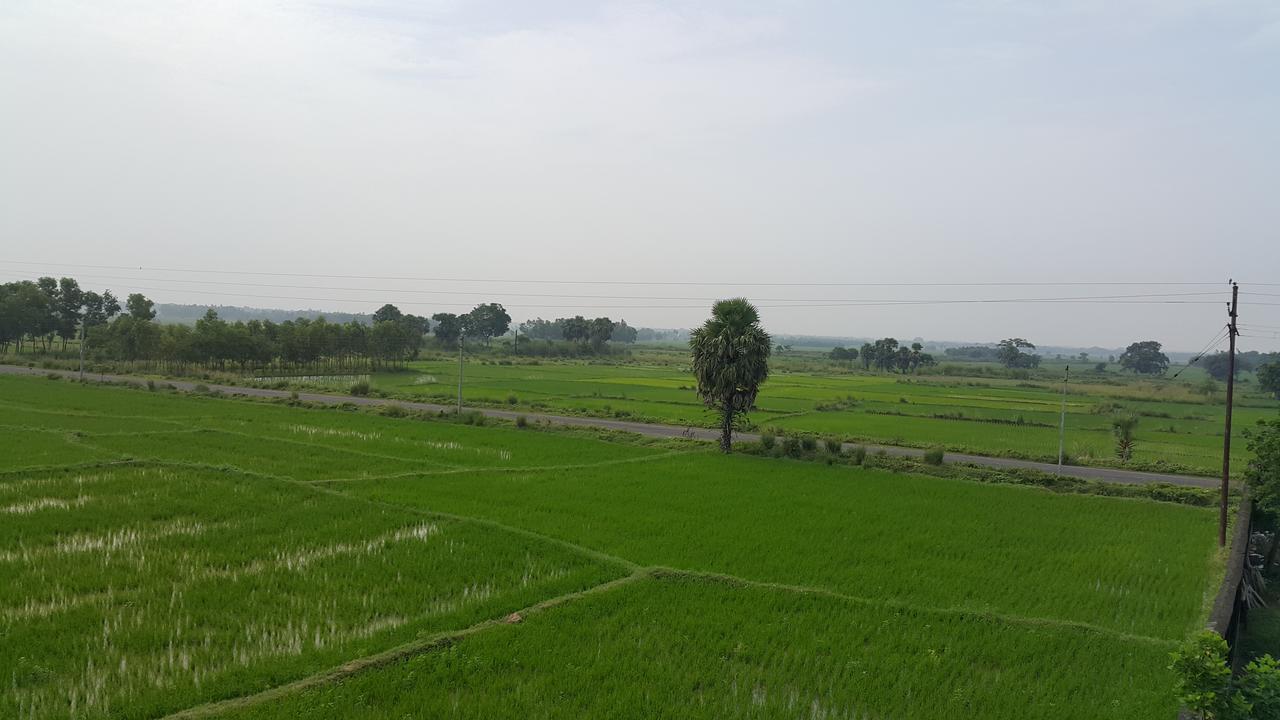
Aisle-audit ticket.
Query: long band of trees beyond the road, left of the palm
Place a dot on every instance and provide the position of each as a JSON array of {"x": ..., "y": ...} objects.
[{"x": 49, "y": 313}]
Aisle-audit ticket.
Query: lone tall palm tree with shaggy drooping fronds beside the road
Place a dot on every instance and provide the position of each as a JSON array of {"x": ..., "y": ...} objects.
[{"x": 732, "y": 359}]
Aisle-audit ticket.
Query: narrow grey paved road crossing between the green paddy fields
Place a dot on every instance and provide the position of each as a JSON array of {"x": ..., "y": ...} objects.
[{"x": 1105, "y": 475}]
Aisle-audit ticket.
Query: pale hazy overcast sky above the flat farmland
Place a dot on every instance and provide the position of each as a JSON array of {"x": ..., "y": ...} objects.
[{"x": 1131, "y": 142}]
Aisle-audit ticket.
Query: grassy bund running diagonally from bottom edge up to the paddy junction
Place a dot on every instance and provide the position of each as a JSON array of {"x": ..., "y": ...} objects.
[{"x": 394, "y": 655}]
